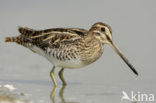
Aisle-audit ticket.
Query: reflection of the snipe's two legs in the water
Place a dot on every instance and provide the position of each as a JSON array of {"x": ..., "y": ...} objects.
[{"x": 61, "y": 95}]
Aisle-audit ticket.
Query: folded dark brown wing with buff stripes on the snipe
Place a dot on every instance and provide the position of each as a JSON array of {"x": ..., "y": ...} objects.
[{"x": 52, "y": 37}]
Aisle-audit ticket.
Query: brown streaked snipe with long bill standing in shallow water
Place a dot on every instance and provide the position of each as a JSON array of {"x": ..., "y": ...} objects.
[{"x": 68, "y": 48}]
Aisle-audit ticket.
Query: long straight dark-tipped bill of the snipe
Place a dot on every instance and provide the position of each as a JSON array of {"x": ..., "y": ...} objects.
[{"x": 123, "y": 57}]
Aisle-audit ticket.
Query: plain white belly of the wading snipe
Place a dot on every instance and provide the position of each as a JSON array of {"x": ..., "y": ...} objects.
[{"x": 71, "y": 64}]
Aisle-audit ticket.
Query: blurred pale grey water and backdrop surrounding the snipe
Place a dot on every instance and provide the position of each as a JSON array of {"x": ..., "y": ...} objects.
[{"x": 133, "y": 24}]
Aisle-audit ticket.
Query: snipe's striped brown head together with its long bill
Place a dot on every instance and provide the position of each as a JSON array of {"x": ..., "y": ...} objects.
[{"x": 103, "y": 33}]
